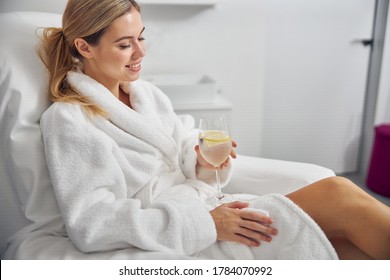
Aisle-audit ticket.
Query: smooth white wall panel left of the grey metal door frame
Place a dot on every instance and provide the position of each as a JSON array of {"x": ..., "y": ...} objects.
[{"x": 316, "y": 80}]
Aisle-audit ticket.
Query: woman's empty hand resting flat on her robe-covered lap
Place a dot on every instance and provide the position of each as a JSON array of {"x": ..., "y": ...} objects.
[{"x": 243, "y": 226}]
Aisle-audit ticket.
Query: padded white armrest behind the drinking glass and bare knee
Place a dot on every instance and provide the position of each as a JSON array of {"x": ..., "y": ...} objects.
[{"x": 261, "y": 176}]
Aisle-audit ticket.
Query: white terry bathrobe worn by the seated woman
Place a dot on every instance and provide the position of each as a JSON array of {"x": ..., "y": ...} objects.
[{"x": 129, "y": 180}]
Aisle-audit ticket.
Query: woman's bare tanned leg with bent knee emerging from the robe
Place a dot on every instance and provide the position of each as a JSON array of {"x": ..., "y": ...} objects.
[{"x": 353, "y": 219}]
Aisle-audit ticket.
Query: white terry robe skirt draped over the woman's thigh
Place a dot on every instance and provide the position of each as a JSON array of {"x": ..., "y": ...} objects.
[{"x": 299, "y": 236}]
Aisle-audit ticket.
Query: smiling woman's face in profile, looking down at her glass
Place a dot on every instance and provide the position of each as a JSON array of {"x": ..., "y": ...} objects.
[{"x": 119, "y": 54}]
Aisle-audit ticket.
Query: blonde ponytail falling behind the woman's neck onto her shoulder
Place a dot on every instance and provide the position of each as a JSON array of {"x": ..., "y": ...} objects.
[{"x": 57, "y": 56}]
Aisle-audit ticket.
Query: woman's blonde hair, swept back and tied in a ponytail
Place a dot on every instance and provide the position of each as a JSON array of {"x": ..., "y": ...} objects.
[{"x": 87, "y": 19}]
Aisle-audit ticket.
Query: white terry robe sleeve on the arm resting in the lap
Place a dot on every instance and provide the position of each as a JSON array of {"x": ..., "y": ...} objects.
[{"x": 91, "y": 192}]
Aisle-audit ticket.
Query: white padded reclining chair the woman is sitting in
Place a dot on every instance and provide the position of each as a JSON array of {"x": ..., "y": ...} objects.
[{"x": 23, "y": 170}]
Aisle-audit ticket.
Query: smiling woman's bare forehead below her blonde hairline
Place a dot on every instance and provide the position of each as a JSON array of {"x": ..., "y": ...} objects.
[{"x": 130, "y": 24}]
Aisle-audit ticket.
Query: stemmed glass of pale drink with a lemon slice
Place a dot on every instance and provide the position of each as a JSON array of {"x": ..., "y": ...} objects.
[{"x": 215, "y": 144}]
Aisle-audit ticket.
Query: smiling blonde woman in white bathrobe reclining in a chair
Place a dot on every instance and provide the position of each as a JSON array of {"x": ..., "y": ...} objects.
[{"x": 125, "y": 172}]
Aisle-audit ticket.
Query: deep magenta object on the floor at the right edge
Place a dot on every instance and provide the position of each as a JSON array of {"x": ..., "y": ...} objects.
[{"x": 378, "y": 178}]
